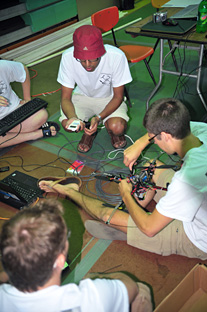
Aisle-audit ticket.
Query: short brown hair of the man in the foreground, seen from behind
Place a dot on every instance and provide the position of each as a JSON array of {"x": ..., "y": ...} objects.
[{"x": 30, "y": 243}]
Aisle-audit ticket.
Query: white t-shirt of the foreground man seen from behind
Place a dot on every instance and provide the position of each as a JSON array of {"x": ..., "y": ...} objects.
[{"x": 100, "y": 295}]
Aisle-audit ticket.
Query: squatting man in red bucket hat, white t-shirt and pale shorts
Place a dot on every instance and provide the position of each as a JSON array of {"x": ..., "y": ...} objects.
[{"x": 93, "y": 76}]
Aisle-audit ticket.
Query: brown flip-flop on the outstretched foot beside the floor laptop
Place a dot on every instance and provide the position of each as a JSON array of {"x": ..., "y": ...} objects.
[{"x": 60, "y": 180}]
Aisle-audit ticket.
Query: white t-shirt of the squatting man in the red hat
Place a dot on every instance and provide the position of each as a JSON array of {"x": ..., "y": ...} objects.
[{"x": 112, "y": 71}]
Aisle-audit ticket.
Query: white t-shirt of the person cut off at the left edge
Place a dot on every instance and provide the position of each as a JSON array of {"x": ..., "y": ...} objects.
[{"x": 9, "y": 72}]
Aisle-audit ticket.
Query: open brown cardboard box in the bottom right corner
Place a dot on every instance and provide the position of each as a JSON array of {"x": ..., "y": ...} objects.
[{"x": 190, "y": 295}]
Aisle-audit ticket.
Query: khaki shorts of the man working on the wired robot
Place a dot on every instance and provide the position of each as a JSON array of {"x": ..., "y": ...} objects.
[{"x": 171, "y": 240}]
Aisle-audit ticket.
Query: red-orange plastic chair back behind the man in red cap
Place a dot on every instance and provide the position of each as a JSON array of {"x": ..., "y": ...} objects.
[{"x": 106, "y": 19}]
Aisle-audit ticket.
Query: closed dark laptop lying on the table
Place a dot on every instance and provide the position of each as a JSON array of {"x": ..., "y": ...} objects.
[{"x": 183, "y": 27}]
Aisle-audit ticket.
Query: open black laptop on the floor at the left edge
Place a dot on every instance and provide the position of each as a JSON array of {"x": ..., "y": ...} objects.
[{"x": 19, "y": 189}]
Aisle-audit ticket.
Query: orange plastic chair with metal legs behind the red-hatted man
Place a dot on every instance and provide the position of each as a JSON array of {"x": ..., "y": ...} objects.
[{"x": 105, "y": 20}]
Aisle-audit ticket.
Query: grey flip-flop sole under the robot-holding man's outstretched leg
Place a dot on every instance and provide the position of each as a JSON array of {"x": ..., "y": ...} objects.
[{"x": 103, "y": 231}]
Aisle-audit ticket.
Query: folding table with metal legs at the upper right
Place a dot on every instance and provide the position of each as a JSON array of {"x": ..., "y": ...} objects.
[{"x": 198, "y": 39}]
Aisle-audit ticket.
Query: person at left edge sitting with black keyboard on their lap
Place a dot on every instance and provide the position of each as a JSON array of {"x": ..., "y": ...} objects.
[{"x": 35, "y": 126}]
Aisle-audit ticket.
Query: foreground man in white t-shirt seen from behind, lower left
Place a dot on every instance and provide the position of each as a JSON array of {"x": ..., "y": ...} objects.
[{"x": 34, "y": 246}]
